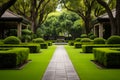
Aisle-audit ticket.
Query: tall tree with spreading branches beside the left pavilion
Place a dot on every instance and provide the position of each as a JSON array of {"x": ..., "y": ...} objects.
[{"x": 35, "y": 10}]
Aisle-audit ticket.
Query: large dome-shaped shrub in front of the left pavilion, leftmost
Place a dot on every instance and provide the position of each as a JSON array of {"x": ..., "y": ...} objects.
[{"x": 12, "y": 40}]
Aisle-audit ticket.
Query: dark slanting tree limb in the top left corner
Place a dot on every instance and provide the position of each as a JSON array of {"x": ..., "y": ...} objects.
[{"x": 5, "y": 5}]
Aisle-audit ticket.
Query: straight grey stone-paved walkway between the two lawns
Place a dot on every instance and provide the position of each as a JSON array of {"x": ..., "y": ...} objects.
[{"x": 60, "y": 67}]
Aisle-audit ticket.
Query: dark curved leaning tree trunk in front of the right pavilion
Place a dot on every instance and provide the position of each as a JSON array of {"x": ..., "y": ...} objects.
[{"x": 112, "y": 18}]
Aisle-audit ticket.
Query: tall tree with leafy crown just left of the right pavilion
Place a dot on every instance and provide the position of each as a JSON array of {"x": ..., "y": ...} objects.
[{"x": 83, "y": 8}]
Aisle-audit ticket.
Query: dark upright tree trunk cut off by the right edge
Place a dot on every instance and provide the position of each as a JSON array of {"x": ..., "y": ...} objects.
[{"x": 118, "y": 16}]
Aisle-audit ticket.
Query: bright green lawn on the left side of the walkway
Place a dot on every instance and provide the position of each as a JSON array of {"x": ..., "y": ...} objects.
[{"x": 33, "y": 70}]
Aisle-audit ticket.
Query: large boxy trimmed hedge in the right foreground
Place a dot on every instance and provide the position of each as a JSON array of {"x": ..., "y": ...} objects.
[{"x": 108, "y": 57}]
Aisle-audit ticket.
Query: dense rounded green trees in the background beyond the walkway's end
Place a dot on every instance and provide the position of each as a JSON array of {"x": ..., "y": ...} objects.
[{"x": 65, "y": 23}]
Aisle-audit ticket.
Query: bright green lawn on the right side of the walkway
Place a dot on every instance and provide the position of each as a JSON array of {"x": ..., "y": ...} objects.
[{"x": 88, "y": 70}]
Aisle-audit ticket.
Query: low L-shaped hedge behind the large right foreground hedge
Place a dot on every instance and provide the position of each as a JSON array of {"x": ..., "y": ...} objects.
[{"x": 89, "y": 48}]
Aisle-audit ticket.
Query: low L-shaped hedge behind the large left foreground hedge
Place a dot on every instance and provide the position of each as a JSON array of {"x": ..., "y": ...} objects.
[{"x": 34, "y": 48}]
